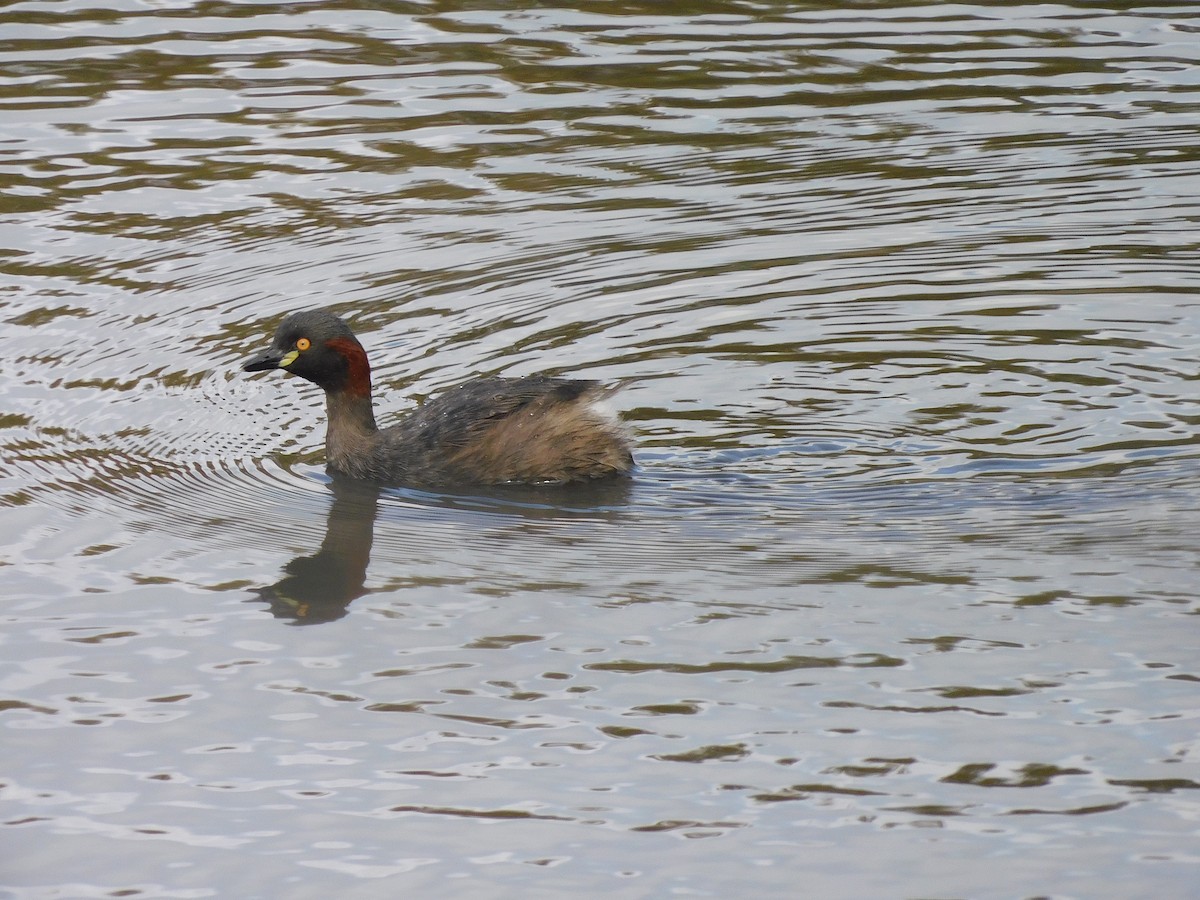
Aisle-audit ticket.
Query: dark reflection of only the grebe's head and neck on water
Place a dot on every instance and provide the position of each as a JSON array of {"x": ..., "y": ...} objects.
[{"x": 321, "y": 587}]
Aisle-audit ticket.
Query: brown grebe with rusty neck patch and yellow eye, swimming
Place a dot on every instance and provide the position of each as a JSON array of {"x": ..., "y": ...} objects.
[{"x": 489, "y": 431}]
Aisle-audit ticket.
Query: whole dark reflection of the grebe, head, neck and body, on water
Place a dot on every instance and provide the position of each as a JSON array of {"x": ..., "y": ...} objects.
[{"x": 321, "y": 587}]
